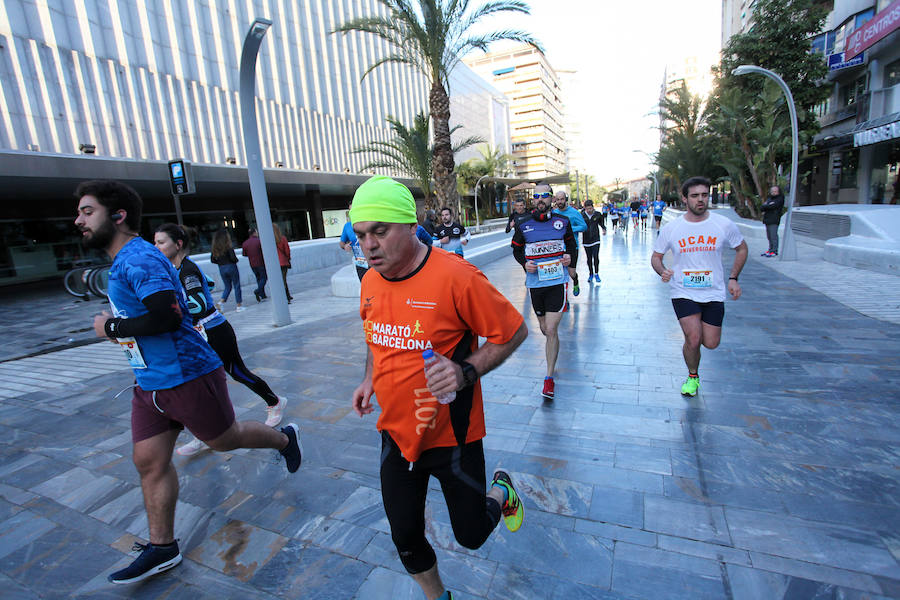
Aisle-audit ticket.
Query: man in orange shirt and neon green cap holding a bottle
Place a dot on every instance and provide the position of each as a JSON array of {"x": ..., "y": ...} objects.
[{"x": 416, "y": 298}]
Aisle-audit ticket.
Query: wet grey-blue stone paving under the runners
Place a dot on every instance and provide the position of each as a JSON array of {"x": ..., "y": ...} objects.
[{"x": 779, "y": 481}]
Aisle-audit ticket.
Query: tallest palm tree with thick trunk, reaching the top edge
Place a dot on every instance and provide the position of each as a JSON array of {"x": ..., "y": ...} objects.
[{"x": 432, "y": 36}]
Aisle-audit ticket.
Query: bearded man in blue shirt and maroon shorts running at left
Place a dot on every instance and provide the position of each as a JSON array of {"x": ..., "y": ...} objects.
[{"x": 180, "y": 380}]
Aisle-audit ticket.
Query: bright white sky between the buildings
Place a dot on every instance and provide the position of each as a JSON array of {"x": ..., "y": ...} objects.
[{"x": 620, "y": 49}]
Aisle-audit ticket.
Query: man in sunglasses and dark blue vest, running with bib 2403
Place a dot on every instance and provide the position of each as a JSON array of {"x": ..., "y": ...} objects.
[{"x": 544, "y": 245}]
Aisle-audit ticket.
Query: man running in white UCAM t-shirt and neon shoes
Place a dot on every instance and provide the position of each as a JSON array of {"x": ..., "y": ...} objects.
[{"x": 697, "y": 278}]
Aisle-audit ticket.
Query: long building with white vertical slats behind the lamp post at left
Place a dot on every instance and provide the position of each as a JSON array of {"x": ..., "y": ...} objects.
[{"x": 118, "y": 87}]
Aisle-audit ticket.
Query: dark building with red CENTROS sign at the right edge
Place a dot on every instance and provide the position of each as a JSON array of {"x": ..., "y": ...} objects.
[{"x": 856, "y": 156}]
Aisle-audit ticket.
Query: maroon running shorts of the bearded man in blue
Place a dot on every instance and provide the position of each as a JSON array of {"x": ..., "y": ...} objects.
[{"x": 202, "y": 405}]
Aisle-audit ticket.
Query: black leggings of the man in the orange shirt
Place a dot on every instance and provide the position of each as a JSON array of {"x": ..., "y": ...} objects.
[{"x": 460, "y": 470}]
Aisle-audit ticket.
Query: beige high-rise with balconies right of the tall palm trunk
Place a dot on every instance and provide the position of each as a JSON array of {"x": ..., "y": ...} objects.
[{"x": 532, "y": 86}]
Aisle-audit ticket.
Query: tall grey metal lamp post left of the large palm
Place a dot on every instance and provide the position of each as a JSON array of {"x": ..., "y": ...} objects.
[{"x": 252, "y": 42}]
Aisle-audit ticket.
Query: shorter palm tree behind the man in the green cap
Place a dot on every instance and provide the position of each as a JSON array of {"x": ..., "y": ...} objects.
[{"x": 410, "y": 153}]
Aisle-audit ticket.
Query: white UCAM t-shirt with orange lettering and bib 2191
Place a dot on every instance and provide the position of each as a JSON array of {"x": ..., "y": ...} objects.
[{"x": 697, "y": 251}]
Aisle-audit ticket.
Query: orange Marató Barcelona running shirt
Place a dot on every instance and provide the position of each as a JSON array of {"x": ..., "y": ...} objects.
[{"x": 432, "y": 308}]
